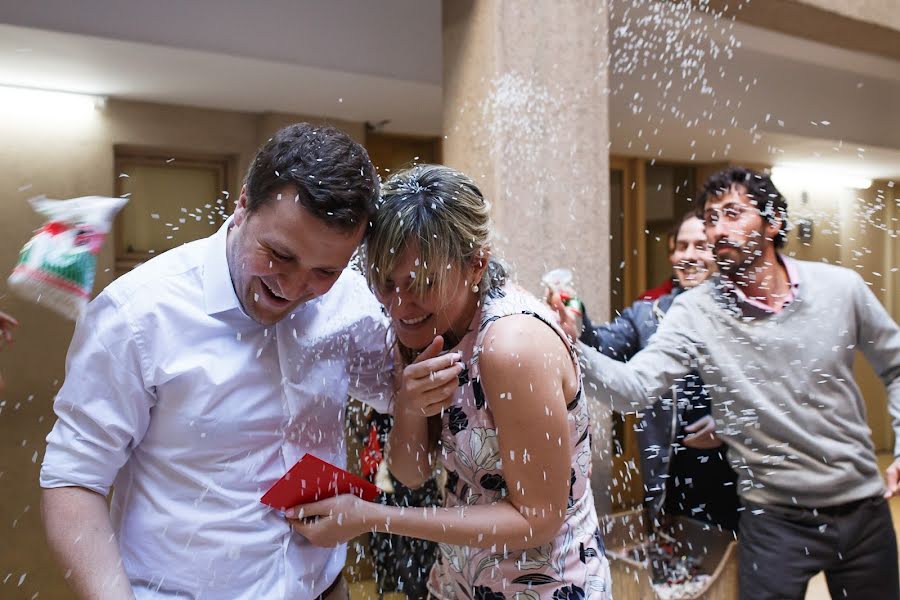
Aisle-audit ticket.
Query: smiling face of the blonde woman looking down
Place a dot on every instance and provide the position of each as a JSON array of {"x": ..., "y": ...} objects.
[{"x": 417, "y": 320}]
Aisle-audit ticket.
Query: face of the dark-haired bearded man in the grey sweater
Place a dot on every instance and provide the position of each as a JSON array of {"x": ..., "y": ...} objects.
[{"x": 737, "y": 231}]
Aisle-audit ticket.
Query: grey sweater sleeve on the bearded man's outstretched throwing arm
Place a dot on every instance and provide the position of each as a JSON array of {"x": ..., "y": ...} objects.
[{"x": 632, "y": 386}]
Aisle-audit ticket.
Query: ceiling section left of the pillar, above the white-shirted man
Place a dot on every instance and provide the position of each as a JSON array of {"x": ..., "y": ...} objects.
[{"x": 348, "y": 59}]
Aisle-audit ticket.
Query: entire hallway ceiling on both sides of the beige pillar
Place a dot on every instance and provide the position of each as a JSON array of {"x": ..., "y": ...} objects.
[{"x": 768, "y": 97}]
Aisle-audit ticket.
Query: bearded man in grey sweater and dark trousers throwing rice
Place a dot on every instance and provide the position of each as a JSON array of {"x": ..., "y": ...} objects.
[{"x": 774, "y": 340}]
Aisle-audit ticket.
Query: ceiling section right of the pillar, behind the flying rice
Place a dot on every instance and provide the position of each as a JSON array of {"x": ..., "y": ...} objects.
[{"x": 687, "y": 87}]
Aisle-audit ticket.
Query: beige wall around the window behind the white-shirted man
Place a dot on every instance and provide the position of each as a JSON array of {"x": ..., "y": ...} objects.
[{"x": 65, "y": 156}]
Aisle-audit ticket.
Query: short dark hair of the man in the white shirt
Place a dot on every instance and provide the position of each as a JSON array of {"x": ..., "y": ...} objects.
[{"x": 334, "y": 177}]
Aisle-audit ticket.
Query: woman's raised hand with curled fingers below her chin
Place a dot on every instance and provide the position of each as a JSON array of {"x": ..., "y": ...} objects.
[{"x": 427, "y": 386}]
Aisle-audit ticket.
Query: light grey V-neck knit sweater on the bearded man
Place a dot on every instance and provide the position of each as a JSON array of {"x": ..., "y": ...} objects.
[{"x": 782, "y": 388}]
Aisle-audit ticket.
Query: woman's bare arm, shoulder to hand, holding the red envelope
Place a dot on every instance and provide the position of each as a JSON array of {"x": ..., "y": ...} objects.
[{"x": 527, "y": 374}]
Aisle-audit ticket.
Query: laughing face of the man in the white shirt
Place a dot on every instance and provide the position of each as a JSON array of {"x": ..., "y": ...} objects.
[{"x": 281, "y": 256}]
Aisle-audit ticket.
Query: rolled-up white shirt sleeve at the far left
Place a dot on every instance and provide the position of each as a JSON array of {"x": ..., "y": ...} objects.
[{"x": 103, "y": 408}]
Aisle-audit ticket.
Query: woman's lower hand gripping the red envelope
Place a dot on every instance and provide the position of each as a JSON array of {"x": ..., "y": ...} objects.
[{"x": 333, "y": 521}]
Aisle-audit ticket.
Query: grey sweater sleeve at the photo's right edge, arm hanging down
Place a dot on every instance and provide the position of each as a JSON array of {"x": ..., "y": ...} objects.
[{"x": 879, "y": 341}]
